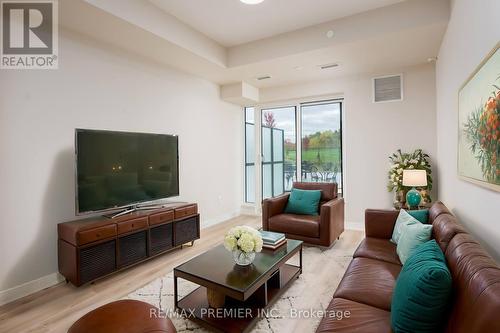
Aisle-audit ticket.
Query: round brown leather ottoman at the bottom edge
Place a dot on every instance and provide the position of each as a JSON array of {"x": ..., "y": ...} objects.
[{"x": 125, "y": 316}]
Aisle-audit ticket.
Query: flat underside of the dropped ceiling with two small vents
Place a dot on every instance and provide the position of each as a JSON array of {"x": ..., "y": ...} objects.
[{"x": 387, "y": 53}]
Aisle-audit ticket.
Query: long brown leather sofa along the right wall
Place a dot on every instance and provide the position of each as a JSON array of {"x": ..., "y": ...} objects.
[{"x": 366, "y": 288}]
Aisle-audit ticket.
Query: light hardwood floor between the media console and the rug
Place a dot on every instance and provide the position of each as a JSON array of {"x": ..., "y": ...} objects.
[{"x": 55, "y": 309}]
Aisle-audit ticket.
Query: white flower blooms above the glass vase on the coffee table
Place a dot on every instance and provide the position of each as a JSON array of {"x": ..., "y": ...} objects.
[{"x": 243, "y": 238}]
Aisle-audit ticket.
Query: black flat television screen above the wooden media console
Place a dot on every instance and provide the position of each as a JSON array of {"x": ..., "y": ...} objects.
[{"x": 121, "y": 169}]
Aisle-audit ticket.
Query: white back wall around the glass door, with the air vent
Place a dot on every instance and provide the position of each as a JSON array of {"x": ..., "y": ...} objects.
[{"x": 374, "y": 131}]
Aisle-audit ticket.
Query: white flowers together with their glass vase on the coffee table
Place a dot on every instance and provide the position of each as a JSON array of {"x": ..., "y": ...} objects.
[{"x": 243, "y": 242}]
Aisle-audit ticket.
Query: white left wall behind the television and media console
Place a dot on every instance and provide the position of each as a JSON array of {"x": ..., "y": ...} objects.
[{"x": 103, "y": 88}]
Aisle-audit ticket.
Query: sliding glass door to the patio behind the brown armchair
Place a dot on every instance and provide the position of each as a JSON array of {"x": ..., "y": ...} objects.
[{"x": 273, "y": 160}]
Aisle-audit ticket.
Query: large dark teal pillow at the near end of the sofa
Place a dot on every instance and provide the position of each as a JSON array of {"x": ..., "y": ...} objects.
[{"x": 422, "y": 293}]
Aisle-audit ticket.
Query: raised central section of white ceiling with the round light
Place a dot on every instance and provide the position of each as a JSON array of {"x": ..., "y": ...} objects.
[{"x": 230, "y": 22}]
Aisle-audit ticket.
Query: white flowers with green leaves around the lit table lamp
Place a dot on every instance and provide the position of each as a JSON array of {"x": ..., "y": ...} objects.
[{"x": 400, "y": 161}]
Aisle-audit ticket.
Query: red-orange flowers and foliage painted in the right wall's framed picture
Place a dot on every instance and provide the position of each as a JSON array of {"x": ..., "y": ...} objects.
[{"x": 483, "y": 133}]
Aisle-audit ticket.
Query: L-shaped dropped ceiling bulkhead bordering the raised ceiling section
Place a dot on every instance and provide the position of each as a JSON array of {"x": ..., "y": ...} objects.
[{"x": 377, "y": 41}]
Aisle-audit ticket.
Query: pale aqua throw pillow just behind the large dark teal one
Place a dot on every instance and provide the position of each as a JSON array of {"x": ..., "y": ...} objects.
[{"x": 412, "y": 236}]
